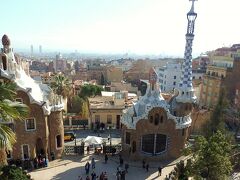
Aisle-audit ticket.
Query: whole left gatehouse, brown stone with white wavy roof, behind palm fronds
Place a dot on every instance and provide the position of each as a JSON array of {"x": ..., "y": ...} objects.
[{"x": 42, "y": 132}]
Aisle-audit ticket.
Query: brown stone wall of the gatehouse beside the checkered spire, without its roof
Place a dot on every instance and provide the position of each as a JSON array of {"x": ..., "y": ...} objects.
[{"x": 175, "y": 138}]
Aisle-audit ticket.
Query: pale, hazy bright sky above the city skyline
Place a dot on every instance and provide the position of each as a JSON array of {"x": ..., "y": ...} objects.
[{"x": 155, "y": 27}]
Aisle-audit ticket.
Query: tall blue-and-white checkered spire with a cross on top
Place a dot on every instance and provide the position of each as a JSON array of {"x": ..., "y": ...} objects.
[{"x": 186, "y": 92}]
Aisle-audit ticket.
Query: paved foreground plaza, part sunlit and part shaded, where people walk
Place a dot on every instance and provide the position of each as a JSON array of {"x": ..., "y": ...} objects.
[{"x": 70, "y": 167}]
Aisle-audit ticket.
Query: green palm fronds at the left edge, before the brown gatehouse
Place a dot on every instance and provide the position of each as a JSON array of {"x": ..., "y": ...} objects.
[{"x": 9, "y": 110}]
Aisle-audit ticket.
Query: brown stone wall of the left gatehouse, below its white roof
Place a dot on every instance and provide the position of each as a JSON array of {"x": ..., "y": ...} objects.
[{"x": 43, "y": 138}]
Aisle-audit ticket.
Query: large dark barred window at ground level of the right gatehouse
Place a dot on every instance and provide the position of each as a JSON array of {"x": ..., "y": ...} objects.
[{"x": 154, "y": 143}]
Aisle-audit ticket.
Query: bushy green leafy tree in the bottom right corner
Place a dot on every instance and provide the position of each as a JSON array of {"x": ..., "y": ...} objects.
[{"x": 211, "y": 157}]
